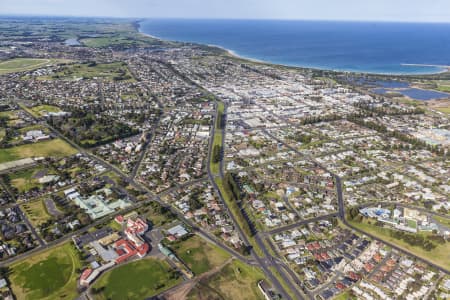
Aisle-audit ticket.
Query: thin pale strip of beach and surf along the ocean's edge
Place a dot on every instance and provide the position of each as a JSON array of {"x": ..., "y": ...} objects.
[{"x": 233, "y": 53}]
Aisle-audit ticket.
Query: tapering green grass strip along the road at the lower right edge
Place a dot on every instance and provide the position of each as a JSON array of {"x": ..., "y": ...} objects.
[{"x": 439, "y": 255}]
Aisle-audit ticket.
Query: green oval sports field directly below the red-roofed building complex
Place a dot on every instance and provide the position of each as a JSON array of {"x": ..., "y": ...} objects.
[{"x": 136, "y": 280}]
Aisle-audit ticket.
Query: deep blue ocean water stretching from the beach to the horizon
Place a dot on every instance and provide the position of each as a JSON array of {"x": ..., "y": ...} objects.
[{"x": 345, "y": 46}]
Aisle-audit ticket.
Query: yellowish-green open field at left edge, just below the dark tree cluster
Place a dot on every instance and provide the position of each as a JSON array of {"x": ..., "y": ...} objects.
[{"x": 51, "y": 148}]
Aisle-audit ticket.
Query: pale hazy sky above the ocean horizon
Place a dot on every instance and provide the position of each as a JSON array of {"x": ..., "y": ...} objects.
[{"x": 380, "y": 10}]
